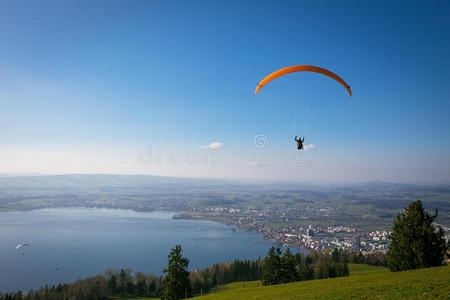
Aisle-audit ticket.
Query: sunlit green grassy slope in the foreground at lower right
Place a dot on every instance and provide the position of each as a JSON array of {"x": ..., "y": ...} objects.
[{"x": 368, "y": 284}]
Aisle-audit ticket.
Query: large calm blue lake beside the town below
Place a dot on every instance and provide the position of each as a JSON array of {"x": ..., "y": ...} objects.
[{"x": 71, "y": 243}]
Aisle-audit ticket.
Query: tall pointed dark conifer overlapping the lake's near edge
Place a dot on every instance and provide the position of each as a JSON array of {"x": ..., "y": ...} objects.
[{"x": 176, "y": 284}]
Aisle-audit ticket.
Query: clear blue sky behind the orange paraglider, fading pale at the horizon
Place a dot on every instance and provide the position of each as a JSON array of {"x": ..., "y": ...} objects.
[{"x": 85, "y": 80}]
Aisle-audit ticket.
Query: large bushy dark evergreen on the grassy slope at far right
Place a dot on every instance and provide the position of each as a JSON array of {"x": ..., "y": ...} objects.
[{"x": 415, "y": 242}]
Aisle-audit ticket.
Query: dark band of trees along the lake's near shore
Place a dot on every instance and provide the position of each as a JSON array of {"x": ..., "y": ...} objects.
[{"x": 179, "y": 283}]
